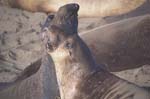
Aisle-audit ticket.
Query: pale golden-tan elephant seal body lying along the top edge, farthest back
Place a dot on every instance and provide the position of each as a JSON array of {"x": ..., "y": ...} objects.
[{"x": 88, "y": 7}]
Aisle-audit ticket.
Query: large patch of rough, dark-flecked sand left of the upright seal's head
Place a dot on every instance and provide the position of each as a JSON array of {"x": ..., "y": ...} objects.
[{"x": 20, "y": 44}]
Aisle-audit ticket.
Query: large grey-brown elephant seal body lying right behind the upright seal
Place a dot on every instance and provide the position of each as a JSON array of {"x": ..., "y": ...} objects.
[{"x": 121, "y": 45}]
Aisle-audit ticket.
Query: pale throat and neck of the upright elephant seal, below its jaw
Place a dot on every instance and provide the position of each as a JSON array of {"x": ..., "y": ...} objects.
[{"x": 71, "y": 70}]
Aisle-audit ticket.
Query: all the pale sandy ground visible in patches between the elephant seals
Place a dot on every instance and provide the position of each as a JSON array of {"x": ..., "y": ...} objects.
[{"x": 20, "y": 44}]
